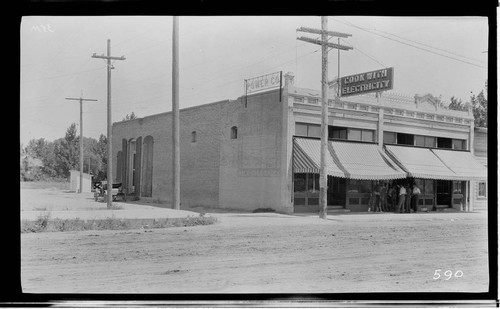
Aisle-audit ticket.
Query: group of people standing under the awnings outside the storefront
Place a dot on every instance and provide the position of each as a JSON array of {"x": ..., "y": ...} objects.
[{"x": 395, "y": 197}]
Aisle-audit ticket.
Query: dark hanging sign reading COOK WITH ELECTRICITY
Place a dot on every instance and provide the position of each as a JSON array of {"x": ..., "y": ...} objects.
[{"x": 374, "y": 81}]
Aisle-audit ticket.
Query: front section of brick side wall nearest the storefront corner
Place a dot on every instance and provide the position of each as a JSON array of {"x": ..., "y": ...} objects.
[{"x": 253, "y": 167}]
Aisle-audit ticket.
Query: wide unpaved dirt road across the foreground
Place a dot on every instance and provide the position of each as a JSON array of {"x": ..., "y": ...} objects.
[{"x": 267, "y": 253}]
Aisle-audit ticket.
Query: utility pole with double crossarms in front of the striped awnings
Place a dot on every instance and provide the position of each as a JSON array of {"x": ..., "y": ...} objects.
[{"x": 323, "y": 177}]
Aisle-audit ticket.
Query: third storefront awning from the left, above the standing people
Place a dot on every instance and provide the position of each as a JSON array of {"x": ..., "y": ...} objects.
[{"x": 421, "y": 163}]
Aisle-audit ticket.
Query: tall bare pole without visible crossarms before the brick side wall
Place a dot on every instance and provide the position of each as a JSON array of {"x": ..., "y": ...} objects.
[{"x": 175, "y": 116}]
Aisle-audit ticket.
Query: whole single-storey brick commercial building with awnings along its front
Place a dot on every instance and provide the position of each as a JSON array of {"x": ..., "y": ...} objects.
[{"x": 262, "y": 151}]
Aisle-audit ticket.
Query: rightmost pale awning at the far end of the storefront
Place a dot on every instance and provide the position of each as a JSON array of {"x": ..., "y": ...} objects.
[{"x": 463, "y": 163}]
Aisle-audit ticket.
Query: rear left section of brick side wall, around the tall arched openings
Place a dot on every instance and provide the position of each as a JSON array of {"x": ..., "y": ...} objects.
[{"x": 199, "y": 160}]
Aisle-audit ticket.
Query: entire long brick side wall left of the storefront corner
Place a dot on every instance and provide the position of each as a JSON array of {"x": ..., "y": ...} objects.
[{"x": 248, "y": 172}]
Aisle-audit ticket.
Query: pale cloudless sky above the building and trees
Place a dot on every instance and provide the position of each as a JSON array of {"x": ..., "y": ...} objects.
[{"x": 444, "y": 56}]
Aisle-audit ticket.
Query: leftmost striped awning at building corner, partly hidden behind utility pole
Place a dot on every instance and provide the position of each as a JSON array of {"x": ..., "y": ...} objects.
[{"x": 306, "y": 158}]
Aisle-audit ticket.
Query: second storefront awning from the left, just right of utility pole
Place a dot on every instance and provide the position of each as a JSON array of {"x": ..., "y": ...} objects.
[{"x": 364, "y": 161}]
